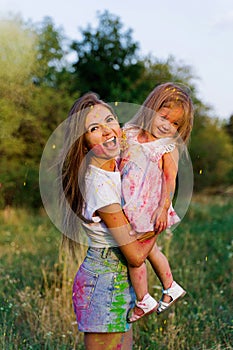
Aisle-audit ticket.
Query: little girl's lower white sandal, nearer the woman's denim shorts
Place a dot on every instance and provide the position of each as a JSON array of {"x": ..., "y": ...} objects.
[{"x": 147, "y": 304}]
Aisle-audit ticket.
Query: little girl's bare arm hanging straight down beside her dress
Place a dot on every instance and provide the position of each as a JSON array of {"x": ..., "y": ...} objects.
[{"x": 170, "y": 168}]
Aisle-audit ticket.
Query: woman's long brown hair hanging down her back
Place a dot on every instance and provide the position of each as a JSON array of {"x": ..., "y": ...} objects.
[{"x": 74, "y": 160}]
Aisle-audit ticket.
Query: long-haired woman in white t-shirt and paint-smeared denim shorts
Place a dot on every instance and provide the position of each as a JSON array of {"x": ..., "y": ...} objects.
[{"x": 102, "y": 291}]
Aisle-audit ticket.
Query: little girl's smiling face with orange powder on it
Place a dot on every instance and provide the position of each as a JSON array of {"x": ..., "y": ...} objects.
[{"x": 167, "y": 121}]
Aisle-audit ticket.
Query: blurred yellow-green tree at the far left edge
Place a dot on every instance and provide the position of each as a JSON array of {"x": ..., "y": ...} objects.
[{"x": 17, "y": 62}]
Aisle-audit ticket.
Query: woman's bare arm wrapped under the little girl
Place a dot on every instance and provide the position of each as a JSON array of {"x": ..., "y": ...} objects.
[{"x": 134, "y": 251}]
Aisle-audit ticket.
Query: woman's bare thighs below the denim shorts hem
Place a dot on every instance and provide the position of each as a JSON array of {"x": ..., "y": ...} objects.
[{"x": 109, "y": 341}]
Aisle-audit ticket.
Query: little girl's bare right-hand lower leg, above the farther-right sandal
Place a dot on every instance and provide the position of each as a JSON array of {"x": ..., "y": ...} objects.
[{"x": 162, "y": 269}]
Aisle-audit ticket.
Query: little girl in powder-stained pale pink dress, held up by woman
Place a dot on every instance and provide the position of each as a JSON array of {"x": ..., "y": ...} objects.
[{"x": 154, "y": 138}]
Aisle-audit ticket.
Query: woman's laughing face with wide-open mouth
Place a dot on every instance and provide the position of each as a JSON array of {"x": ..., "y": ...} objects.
[{"x": 102, "y": 132}]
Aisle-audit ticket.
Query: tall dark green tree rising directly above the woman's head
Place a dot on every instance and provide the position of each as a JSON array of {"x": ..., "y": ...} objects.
[{"x": 107, "y": 60}]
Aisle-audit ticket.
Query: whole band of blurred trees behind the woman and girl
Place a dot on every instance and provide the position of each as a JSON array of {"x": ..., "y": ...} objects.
[{"x": 39, "y": 83}]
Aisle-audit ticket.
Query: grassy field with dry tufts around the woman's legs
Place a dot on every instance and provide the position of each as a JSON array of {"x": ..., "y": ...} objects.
[{"x": 36, "y": 282}]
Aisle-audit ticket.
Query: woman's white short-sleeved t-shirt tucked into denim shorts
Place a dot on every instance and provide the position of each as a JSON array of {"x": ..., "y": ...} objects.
[{"x": 102, "y": 188}]
